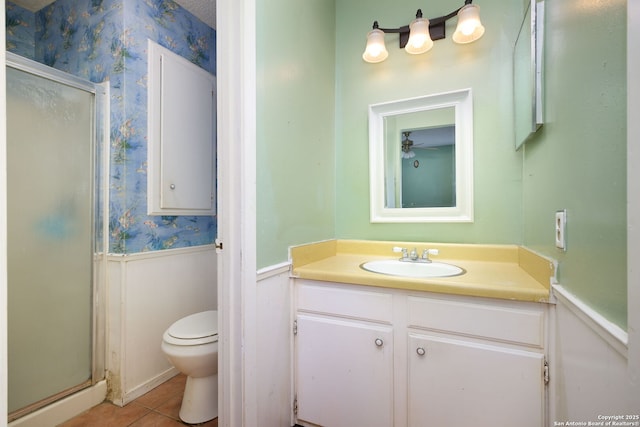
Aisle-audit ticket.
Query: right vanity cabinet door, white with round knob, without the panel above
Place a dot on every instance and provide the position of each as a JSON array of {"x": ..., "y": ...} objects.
[{"x": 457, "y": 382}]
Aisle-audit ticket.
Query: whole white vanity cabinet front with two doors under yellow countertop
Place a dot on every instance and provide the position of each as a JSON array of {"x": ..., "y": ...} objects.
[{"x": 444, "y": 361}]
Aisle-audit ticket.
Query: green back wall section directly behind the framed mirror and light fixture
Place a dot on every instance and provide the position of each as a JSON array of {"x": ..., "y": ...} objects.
[{"x": 483, "y": 66}]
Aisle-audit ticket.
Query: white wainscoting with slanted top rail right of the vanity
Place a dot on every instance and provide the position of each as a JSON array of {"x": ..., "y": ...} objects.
[{"x": 589, "y": 368}]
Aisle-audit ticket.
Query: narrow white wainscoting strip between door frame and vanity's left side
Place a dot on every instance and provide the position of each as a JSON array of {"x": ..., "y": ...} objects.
[{"x": 274, "y": 320}]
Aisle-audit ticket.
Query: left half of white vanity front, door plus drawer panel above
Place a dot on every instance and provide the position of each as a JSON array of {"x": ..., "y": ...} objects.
[{"x": 344, "y": 357}]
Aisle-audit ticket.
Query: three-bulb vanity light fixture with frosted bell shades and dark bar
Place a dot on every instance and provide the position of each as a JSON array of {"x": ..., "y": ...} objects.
[{"x": 418, "y": 36}]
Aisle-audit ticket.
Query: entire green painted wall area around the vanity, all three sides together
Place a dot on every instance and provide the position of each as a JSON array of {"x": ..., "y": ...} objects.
[{"x": 313, "y": 143}]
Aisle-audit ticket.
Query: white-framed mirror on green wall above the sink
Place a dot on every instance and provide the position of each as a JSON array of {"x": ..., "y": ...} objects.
[{"x": 421, "y": 159}]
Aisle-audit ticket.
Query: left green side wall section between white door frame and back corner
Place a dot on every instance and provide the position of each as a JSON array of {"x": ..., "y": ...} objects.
[{"x": 295, "y": 125}]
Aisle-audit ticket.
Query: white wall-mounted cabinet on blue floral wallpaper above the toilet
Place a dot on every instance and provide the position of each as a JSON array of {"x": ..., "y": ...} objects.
[{"x": 182, "y": 130}]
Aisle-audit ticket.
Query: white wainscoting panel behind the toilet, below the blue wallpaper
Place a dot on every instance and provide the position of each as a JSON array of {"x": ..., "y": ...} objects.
[{"x": 146, "y": 293}]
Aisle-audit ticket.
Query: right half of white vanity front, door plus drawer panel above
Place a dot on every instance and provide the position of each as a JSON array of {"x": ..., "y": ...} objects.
[{"x": 475, "y": 363}]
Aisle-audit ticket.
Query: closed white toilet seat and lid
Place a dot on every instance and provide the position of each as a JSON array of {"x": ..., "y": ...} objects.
[{"x": 196, "y": 329}]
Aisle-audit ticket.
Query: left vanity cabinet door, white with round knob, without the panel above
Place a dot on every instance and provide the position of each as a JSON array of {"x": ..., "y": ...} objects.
[{"x": 344, "y": 372}]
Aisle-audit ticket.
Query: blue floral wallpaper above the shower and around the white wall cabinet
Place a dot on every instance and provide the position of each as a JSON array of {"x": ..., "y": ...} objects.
[{"x": 102, "y": 40}]
